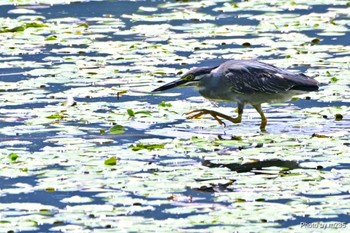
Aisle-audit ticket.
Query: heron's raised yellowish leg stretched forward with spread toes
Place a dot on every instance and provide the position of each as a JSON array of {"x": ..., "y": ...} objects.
[{"x": 216, "y": 115}]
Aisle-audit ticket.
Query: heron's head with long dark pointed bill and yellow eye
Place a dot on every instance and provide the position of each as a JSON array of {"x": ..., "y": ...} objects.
[{"x": 191, "y": 78}]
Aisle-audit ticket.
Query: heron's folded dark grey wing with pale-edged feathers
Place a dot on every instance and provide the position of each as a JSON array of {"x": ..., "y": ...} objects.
[{"x": 260, "y": 77}]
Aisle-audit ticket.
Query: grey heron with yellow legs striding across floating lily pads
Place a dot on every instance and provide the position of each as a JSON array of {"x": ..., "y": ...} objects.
[{"x": 245, "y": 82}]
